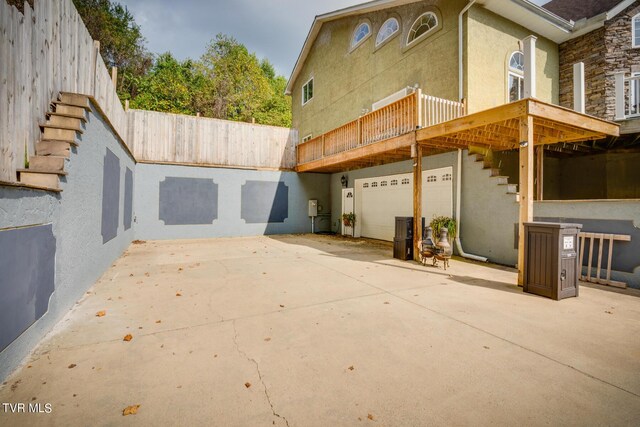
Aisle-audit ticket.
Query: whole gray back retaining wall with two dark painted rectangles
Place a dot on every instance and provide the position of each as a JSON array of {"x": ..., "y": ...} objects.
[{"x": 244, "y": 200}]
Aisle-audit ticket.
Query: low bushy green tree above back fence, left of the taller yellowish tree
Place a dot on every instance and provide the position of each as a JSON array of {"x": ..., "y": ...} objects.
[{"x": 169, "y": 86}]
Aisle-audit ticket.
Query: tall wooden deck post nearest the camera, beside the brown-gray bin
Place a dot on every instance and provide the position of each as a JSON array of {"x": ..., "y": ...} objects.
[{"x": 525, "y": 187}]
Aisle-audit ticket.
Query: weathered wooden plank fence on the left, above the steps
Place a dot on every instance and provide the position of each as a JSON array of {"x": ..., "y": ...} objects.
[{"x": 45, "y": 51}]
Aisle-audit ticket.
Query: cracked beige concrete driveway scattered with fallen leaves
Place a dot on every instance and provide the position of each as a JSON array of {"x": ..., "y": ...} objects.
[{"x": 321, "y": 331}]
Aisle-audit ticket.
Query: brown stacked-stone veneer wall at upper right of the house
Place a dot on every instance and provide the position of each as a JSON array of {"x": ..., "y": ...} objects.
[{"x": 604, "y": 52}]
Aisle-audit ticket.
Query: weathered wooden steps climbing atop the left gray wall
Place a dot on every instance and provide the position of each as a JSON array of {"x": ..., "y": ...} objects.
[{"x": 59, "y": 132}]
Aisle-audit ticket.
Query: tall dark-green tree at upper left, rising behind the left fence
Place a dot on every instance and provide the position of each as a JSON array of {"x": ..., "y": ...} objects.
[{"x": 121, "y": 42}]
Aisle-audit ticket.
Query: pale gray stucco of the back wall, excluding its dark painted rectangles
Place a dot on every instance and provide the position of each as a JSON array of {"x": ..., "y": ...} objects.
[{"x": 229, "y": 221}]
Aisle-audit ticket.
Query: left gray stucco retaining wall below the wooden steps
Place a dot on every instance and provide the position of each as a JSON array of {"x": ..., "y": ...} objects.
[{"x": 76, "y": 219}]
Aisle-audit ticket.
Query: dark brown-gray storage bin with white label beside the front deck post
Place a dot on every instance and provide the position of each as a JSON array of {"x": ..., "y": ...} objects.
[{"x": 551, "y": 264}]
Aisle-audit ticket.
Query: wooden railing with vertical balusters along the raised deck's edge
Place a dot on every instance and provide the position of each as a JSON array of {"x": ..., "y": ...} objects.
[{"x": 398, "y": 118}]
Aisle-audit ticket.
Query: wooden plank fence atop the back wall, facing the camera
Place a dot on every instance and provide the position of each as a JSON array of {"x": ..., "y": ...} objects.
[{"x": 175, "y": 138}]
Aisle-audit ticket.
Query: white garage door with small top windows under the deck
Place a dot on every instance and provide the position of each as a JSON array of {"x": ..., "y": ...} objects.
[{"x": 379, "y": 200}]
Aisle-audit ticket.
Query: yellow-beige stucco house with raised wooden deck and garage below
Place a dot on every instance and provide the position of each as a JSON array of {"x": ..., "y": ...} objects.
[{"x": 378, "y": 83}]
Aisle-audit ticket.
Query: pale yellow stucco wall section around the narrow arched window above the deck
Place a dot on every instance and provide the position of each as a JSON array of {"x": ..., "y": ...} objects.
[{"x": 490, "y": 40}]
